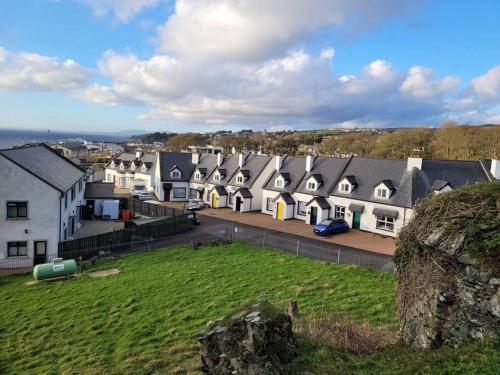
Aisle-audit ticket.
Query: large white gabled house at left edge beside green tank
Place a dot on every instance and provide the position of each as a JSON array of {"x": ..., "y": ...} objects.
[{"x": 42, "y": 193}]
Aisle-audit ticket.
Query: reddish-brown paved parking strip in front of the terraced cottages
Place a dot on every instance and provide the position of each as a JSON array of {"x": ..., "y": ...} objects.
[{"x": 354, "y": 238}]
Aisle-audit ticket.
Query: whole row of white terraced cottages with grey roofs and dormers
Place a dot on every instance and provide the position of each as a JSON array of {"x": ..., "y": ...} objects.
[{"x": 375, "y": 195}]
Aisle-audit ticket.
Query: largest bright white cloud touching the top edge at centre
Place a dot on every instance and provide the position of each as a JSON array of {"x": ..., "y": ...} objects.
[{"x": 229, "y": 30}]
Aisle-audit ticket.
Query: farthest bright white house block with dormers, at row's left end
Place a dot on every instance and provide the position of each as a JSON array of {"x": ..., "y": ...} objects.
[{"x": 126, "y": 168}]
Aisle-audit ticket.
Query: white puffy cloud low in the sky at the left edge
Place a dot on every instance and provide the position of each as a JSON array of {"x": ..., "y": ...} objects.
[{"x": 31, "y": 71}]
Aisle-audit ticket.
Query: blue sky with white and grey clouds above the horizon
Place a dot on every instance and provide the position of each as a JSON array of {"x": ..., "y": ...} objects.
[{"x": 206, "y": 65}]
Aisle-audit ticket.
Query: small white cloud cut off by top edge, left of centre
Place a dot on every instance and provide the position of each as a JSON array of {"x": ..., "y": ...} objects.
[{"x": 123, "y": 10}]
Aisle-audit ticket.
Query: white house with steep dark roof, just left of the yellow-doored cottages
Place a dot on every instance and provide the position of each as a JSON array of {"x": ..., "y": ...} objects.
[{"x": 173, "y": 173}]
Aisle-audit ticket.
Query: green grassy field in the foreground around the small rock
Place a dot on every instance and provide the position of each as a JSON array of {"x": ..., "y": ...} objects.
[{"x": 144, "y": 319}]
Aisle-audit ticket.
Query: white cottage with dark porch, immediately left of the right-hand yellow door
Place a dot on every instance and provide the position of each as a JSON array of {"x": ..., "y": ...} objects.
[{"x": 245, "y": 187}]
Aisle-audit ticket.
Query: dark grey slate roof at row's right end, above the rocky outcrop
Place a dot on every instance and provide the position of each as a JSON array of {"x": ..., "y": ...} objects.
[{"x": 456, "y": 172}]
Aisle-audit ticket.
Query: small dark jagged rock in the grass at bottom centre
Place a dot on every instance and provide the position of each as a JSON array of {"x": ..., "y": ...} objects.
[{"x": 256, "y": 341}]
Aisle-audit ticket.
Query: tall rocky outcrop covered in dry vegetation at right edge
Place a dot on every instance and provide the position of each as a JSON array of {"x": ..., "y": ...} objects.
[{"x": 448, "y": 269}]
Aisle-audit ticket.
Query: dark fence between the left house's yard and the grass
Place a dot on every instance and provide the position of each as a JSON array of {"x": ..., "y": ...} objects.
[{"x": 136, "y": 234}]
